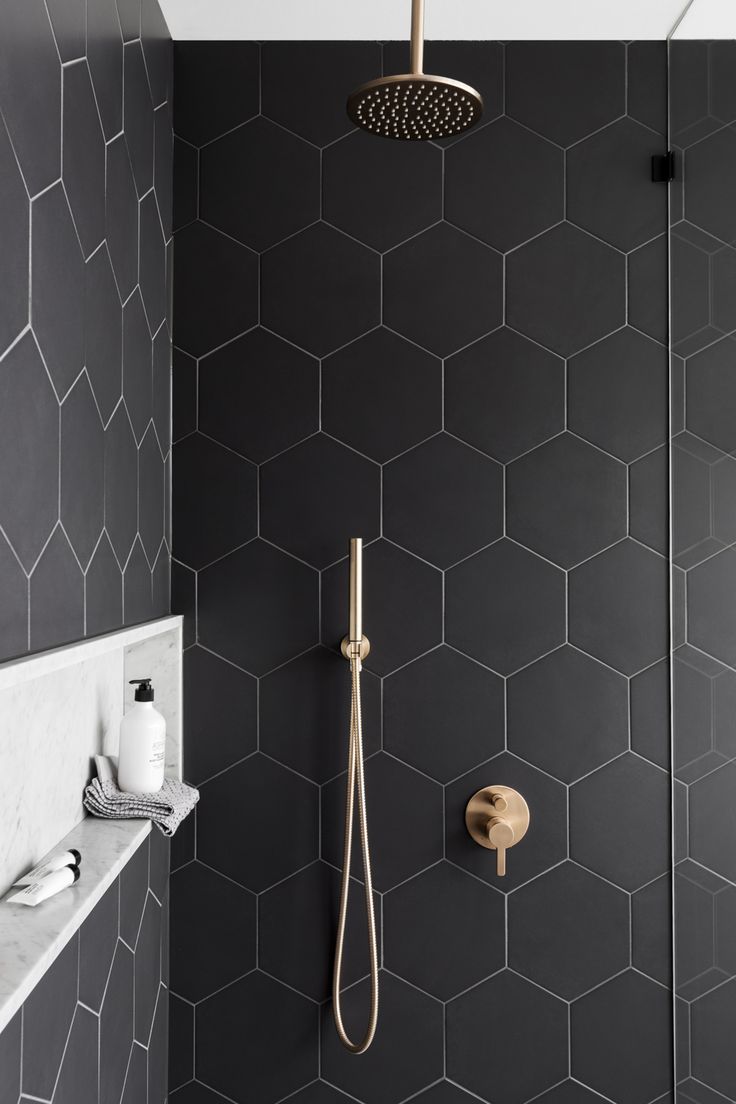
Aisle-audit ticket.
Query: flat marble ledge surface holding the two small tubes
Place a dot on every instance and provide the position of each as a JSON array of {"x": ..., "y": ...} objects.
[{"x": 31, "y": 939}]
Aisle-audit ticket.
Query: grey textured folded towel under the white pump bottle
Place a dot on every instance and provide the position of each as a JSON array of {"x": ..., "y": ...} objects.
[{"x": 167, "y": 809}]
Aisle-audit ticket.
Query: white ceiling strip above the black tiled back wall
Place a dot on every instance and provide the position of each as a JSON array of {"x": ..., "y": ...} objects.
[{"x": 445, "y": 19}]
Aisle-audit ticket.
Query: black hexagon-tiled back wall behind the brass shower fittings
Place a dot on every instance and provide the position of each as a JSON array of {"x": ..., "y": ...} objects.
[{"x": 456, "y": 352}]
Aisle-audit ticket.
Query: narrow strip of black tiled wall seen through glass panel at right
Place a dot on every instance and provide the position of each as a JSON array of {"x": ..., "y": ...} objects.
[{"x": 702, "y": 232}]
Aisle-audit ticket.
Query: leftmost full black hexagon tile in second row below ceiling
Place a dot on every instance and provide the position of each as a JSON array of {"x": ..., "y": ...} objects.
[{"x": 260, "y": 208}]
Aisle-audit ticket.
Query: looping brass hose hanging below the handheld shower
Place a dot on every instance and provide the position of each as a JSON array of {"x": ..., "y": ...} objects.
[{"x": 356, "y": 787}]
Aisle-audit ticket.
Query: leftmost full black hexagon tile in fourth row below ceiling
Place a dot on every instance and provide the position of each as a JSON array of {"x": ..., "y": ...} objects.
[{"x": 259, "y": 396}]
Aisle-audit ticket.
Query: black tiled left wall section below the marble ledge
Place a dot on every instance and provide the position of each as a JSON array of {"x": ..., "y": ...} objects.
[{"x": 94, "y": 1029}]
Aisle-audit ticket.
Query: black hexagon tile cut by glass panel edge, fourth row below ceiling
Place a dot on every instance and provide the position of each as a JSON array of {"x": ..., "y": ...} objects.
[{"x": 617, "y": 395}]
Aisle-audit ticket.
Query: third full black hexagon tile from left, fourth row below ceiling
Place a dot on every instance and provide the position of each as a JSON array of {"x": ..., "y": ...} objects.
[{"x": 505, "y": 395}]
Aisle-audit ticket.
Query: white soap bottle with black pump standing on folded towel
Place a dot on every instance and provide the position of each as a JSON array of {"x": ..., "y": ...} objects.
[{"x": 142, "y": 755}]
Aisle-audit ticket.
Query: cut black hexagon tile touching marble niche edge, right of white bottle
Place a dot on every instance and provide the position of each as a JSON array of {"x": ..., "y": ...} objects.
[{"x": 217, "y": 696}]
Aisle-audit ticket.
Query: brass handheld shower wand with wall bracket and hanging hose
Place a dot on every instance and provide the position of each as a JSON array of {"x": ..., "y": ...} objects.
[{"x": 356, "y": 649}]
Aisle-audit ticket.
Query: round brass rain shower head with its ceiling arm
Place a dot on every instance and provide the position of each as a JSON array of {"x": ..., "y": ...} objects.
[{"x": 415, "y": 107}]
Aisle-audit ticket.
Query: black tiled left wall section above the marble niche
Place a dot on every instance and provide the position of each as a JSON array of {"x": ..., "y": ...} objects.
[{"x": 84, "y": 342}]
